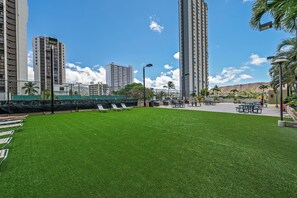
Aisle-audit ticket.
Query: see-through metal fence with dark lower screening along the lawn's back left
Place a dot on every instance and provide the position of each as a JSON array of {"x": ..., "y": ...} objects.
[{"x": 28, "y": 97}]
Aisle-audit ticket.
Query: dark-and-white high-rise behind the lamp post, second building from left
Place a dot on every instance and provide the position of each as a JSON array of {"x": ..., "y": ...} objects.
[{"x": 42, "y": 62}]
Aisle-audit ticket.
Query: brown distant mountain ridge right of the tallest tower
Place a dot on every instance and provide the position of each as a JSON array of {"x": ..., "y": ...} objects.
[{"x": 244, "y": 87}]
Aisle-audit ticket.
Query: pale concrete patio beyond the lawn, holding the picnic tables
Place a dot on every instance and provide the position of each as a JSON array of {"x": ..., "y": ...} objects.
[{"x": 271, "y": 110}]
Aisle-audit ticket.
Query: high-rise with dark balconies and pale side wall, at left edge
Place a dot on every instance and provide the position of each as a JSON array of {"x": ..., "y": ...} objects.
[{"x": 13, "y": 46}]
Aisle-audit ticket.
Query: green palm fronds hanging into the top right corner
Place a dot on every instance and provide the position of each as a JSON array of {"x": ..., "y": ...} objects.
[{"x": 283, "y": 12}]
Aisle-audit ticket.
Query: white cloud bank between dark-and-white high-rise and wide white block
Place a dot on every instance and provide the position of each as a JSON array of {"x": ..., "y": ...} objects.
[{"x": 84, "y": 75}]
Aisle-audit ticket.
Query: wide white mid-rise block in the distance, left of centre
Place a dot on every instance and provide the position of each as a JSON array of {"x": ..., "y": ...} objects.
[{"x": 117, "y": 77}]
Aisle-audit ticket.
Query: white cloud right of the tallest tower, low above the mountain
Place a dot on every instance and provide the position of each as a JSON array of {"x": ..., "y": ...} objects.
[{"x": 229, "y": 74}]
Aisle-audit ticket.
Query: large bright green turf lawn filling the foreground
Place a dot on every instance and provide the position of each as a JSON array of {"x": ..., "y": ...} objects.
[{"x": 151, "y": 153}]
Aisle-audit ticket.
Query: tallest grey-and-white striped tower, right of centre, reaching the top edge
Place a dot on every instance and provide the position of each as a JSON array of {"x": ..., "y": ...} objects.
[{"x": 193, "y": 30}]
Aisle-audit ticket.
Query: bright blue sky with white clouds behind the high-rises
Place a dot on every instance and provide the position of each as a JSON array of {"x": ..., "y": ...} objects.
[{"x": 137, "y": 32}]
